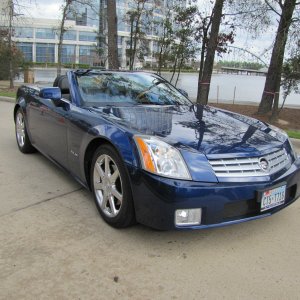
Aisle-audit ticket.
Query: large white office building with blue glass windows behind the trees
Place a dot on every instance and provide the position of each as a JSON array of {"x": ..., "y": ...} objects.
[{"x": 38, "y": 38}]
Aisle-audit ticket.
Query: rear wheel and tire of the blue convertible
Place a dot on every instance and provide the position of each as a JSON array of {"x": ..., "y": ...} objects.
[{"x": 22, "y": 137}]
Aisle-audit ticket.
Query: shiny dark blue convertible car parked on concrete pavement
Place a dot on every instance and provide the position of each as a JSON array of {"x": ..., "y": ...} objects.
[{"x": 150, "y": 155}]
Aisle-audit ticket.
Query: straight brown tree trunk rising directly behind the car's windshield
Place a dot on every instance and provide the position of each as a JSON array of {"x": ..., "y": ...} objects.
[{"x": 112, "y": 27}]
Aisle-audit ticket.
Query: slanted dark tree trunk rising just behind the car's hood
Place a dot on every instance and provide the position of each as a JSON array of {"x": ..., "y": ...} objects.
[{"x": 212, "y": 44}]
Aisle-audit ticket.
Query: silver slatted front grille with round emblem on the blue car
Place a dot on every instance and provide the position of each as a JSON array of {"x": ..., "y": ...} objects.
[{"x": 242, "y": 167}]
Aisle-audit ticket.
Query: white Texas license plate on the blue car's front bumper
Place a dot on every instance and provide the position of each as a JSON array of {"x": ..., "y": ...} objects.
[{"x": 273, "y": 198}]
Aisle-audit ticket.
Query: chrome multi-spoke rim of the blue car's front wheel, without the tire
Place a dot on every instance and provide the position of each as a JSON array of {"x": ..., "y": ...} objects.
[{"x": 108, "y": 185}]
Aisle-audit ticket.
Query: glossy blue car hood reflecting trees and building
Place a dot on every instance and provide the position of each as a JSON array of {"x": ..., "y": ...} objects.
[{"x": 200, "y": 128}]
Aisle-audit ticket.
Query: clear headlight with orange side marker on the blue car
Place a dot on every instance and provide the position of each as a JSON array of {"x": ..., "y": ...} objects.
[{"x": 161, "y": 158}]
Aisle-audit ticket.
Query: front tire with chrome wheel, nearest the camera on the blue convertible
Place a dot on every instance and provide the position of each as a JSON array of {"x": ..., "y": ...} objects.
[{"x": 111, "y": 188}]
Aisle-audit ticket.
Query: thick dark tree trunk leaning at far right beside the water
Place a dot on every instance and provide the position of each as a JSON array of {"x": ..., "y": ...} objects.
[{"x": 273, "y": 79}]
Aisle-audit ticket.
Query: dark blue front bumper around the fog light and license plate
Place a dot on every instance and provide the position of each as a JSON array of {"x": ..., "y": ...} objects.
[{"x": 156, "y": 199}]
